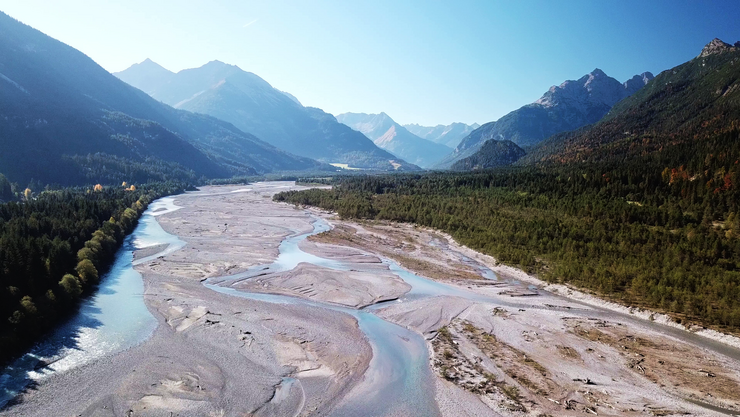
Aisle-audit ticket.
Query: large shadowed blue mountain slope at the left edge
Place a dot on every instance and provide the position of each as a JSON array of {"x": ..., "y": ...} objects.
[{"x": 65, "y": 120}]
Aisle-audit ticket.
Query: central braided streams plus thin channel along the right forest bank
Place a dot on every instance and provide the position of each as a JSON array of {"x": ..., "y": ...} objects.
[{"x": 399, "y": 372}]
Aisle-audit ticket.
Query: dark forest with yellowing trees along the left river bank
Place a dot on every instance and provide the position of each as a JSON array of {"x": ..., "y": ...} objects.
[{"x": 55, "y": 245}]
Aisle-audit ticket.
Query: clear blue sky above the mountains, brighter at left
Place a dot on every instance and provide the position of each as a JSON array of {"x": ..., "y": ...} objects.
[{"x": 424, "y": 61}]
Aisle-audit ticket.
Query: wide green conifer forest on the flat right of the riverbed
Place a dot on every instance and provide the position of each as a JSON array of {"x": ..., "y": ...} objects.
[{"x": 661, "y": 230}]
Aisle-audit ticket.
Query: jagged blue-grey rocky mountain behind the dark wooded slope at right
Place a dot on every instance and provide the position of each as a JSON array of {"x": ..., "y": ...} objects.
[{"x": 569, "y": 106}]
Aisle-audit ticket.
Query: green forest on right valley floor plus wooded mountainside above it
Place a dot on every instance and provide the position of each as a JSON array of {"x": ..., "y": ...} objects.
[{"x": 642, "y": 207}]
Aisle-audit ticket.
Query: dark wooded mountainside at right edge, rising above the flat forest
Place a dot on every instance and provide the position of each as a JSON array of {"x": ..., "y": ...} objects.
[{"x": 688, "y": 112}]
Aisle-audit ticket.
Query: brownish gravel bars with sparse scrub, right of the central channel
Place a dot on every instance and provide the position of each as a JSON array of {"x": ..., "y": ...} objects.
[{"x": 529, "y": 352}]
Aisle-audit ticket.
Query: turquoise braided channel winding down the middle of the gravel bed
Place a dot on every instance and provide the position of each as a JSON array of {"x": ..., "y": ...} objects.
[{"x": 398, "y": 378}]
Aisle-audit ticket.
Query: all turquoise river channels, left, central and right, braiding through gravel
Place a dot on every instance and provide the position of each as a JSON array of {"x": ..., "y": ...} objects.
[{"x": 398, "y": 381}]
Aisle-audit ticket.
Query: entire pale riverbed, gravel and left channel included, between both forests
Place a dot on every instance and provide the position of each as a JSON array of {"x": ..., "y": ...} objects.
[{"x": 217, "y": 346}]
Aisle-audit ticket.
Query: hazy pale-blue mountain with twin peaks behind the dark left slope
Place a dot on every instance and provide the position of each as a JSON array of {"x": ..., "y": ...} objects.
[{"x": 253, "y": 105}]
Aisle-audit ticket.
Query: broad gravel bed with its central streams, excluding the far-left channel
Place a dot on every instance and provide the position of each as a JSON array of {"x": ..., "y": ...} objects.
[{"x": 263, "y": 308}]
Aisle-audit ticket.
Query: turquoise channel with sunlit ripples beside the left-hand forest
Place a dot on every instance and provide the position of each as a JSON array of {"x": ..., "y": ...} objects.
[{"x": 115, "y": 318}]
